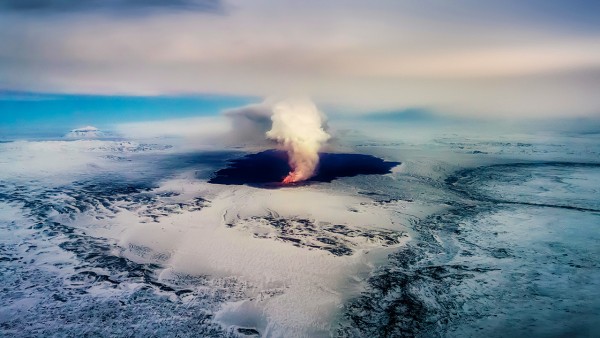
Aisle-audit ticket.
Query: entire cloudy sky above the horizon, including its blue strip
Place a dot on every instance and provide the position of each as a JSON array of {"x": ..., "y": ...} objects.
[{"x": 461, "y": 58}]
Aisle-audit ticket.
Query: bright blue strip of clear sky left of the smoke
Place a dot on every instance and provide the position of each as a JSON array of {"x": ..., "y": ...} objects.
[{"x": 56, "y": 114}]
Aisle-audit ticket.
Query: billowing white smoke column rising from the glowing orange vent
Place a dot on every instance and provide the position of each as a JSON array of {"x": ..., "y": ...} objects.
[{"x": 298, "y": 127}]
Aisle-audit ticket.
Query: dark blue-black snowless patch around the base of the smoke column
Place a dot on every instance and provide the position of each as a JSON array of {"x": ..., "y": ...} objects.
[{"x": 271, "y": 166}]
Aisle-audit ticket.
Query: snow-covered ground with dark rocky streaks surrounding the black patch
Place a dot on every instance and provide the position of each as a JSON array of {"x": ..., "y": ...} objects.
[{"x": 469, "y": 236}]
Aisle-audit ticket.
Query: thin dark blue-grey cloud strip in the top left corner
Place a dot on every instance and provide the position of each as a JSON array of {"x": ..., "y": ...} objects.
[{"x": 61, "y": 6}]
